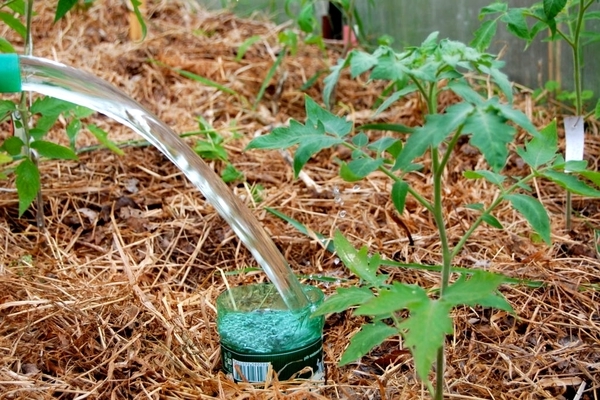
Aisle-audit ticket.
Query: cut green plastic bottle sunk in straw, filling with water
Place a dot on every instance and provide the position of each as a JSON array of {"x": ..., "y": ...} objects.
[{"x": 259, "y": 332}]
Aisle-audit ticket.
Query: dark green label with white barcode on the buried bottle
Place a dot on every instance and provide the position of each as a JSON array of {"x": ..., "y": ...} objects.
[{"x": 254, "y": 367}]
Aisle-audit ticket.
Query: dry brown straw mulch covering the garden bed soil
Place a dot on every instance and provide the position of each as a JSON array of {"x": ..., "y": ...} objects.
[{"x": 115, "y": 299}]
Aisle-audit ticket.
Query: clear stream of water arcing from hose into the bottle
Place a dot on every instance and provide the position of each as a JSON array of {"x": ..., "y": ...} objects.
[{"x": 79, "y": 87}]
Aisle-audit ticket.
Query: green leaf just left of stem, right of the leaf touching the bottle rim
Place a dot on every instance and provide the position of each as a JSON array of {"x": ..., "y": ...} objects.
[{"x": 398, "y": 297}]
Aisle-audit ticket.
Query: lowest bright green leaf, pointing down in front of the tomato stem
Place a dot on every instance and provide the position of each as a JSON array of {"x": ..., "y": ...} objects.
[{"x": 425, "y": 331}]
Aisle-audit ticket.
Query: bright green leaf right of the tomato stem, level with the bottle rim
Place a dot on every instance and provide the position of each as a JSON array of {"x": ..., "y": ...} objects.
[{"x": 479, "y": 289}]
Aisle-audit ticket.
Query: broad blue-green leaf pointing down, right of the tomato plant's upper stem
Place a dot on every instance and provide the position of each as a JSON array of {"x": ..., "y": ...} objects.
[{"x": 491, "y": 135}]
